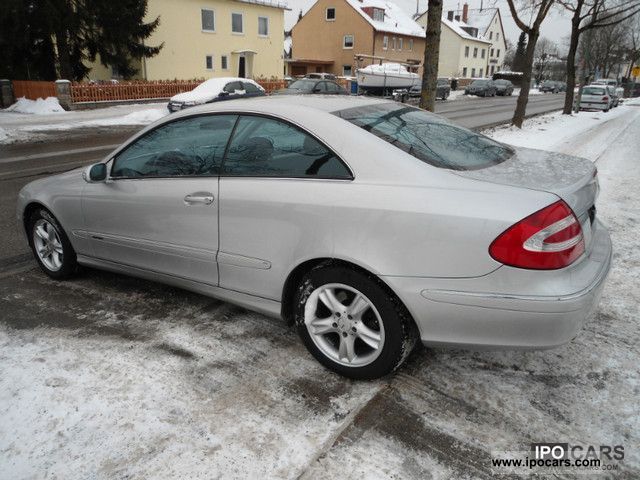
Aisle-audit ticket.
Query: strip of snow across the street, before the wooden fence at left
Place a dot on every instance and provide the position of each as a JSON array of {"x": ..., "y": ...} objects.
[{"x": 16, "y": 127}]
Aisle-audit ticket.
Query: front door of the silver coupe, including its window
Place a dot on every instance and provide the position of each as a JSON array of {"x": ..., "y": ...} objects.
[{"x": 158, "y": 209}]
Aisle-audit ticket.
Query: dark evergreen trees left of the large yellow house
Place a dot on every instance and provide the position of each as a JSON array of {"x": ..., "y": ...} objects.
[{"x": 38, "y": 35}]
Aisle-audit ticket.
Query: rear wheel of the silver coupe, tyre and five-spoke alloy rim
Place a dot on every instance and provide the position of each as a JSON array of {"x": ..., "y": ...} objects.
[{"x": 372, "y": 342}]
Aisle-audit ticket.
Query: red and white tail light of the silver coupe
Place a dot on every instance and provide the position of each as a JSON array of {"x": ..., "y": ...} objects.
[{"x": 549, "y": 239}]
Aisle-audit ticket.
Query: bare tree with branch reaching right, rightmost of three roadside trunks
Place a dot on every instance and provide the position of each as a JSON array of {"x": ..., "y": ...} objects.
[{"x": 588, "y": 15}]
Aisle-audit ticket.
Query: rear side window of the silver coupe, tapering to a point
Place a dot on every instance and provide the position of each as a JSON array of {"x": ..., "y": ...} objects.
[{"x": 265, "y": 147}]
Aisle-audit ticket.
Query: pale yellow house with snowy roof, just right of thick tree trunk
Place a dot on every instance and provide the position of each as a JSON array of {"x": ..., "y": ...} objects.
[{"x": 463, "y": 52}]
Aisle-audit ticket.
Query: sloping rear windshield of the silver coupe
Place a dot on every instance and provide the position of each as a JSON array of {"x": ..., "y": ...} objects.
[{"x": 428, "y": 137}]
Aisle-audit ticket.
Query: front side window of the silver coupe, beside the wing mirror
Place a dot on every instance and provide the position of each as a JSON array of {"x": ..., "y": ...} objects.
[{"x": 190, "y": 147}]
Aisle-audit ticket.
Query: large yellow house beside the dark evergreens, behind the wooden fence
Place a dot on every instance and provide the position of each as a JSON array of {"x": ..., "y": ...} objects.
[{"x": 212, "y": 38}]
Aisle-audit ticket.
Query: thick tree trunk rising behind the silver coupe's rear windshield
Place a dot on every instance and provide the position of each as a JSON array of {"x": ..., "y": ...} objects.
[{"x": 431, "y": 56}]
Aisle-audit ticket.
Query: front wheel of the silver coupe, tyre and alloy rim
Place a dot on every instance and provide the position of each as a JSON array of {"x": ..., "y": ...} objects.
[{"x": 50, "y": 245}]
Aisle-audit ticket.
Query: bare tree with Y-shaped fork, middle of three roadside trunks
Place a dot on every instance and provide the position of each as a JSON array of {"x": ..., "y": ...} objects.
[{"x": 538, "y": 10}]
